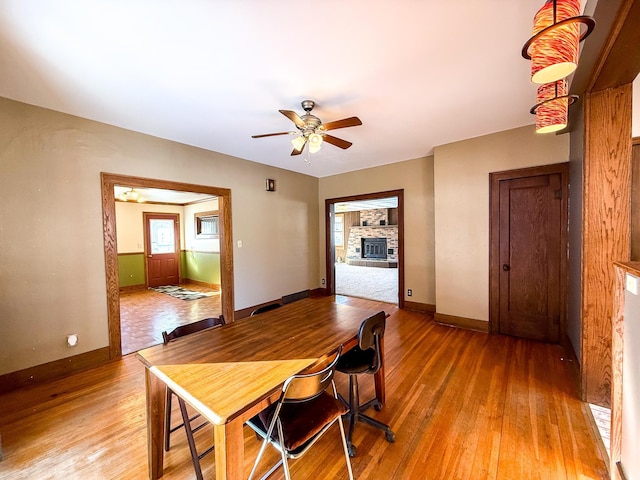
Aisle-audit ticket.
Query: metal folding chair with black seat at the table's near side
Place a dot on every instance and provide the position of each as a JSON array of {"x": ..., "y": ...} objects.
[{"x": 302, "y": 414}]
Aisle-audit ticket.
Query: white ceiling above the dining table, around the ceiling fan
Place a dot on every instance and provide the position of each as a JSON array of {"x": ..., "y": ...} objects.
[{"x": 212, "y": 73}]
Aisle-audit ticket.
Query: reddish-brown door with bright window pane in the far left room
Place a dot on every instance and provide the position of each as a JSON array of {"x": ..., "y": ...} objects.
[{"x": 162, "y": 249}]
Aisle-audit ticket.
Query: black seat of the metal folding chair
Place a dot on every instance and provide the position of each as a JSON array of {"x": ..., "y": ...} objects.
[{"x": 301, "y": 421}]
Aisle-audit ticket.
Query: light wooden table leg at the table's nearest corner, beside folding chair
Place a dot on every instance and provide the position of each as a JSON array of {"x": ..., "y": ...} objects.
[{"x": 229, "y": 450}]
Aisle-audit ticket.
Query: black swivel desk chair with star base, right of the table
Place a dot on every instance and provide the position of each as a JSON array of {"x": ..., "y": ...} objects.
[{"x": 364, "y": 358}]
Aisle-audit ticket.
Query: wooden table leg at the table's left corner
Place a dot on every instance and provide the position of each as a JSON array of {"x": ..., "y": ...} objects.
[{"x": 155, "y": 424}]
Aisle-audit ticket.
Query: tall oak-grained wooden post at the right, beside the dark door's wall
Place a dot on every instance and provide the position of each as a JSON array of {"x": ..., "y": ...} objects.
[{"x": 606, "y": 229}]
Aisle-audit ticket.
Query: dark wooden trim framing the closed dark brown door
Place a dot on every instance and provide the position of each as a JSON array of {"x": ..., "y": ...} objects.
[{"x": 494, "y": 239}]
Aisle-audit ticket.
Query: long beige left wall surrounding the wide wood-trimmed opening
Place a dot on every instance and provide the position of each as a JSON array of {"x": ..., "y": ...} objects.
[{"x": 51, "y": 241}]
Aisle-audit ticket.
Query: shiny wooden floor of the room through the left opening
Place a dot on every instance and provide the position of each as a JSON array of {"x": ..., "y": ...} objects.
[{"x": 145, "y": 314}]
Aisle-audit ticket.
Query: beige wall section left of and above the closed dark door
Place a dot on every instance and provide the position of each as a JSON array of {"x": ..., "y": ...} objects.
[{"x": 461, "y": 186}]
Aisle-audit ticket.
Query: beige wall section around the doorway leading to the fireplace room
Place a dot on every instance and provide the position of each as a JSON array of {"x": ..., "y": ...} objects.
[{"x": 416, "y": 178}]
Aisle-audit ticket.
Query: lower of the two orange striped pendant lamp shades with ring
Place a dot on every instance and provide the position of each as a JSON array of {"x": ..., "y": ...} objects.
[{"x": 552, "y": 107}]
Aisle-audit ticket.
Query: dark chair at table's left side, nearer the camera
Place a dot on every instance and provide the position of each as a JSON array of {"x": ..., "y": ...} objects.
[{"x": 187, "y": 421}]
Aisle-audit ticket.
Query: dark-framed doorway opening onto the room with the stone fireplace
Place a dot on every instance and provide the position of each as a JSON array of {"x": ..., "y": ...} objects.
[{"x": 365, "y": 246}]
